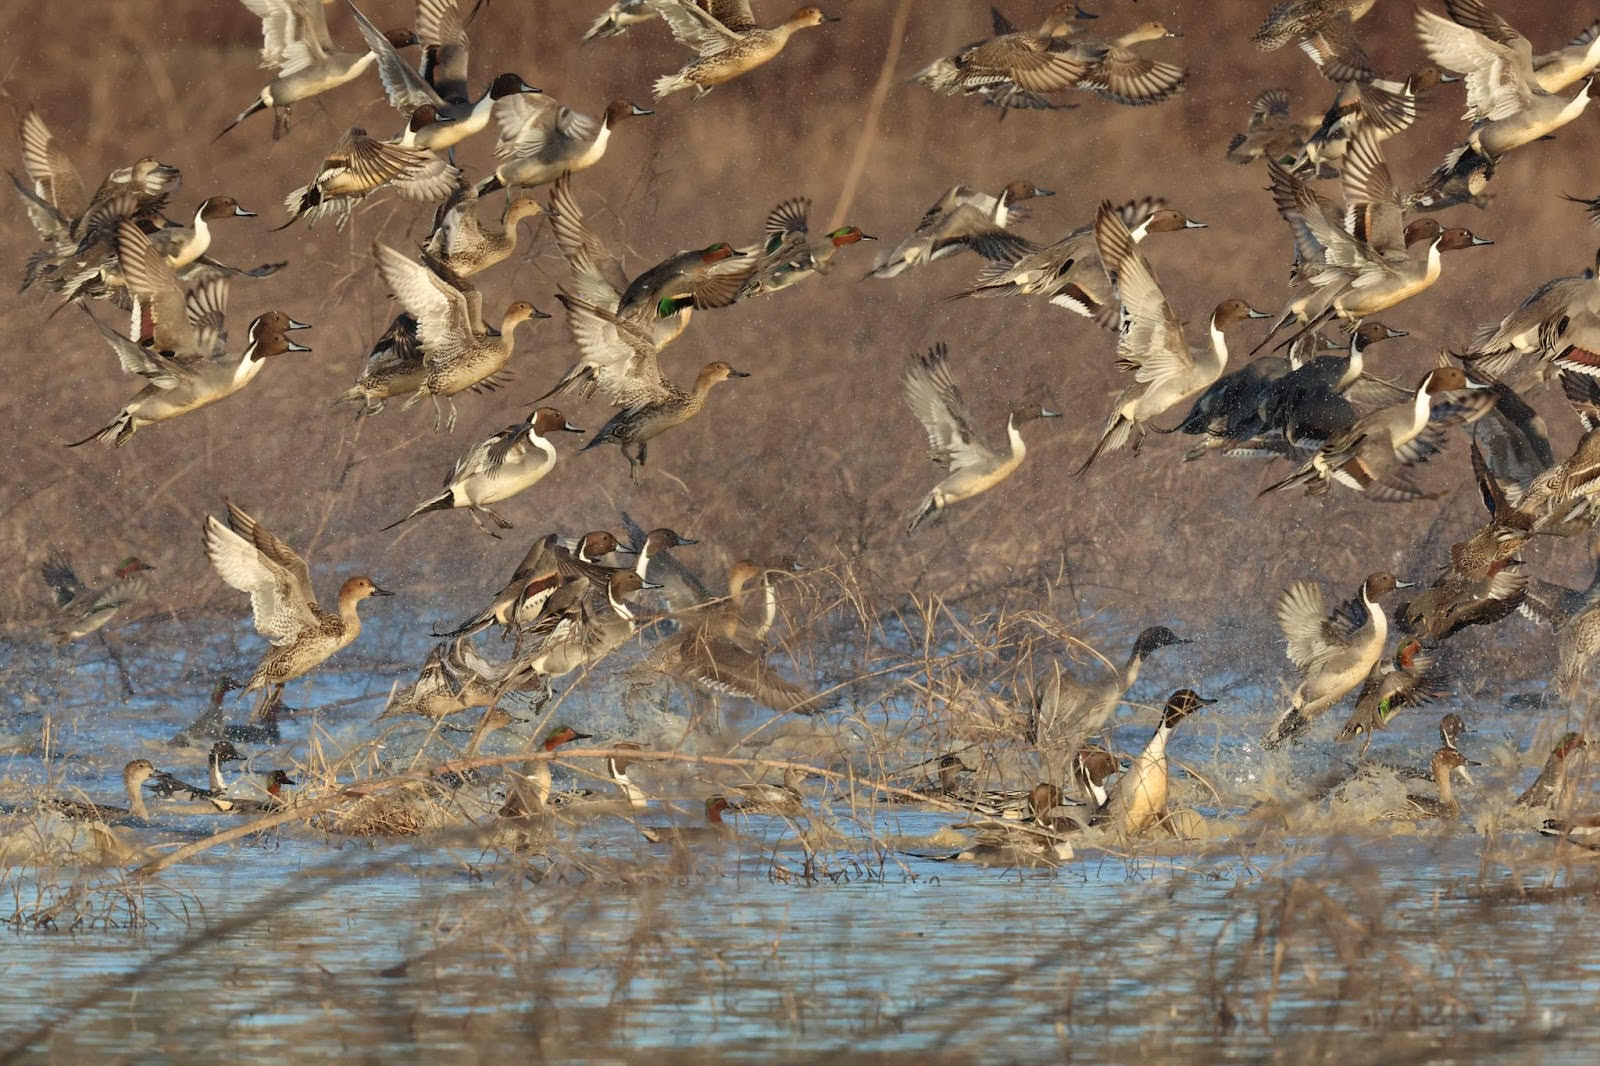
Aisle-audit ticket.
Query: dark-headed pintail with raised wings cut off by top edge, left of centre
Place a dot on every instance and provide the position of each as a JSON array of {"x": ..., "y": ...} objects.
[{"x": 444, "y": 38}]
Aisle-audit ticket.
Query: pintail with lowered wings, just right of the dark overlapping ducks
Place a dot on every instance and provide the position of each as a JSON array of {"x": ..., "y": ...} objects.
[{"x": 1374, "y": 454}]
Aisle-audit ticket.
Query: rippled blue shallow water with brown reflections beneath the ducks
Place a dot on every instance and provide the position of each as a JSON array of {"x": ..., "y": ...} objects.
[{"x": 599, "y": 947}]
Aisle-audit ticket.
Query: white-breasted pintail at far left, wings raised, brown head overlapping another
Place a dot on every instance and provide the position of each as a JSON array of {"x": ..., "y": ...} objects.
[{"x": 196, "y": 375}]
